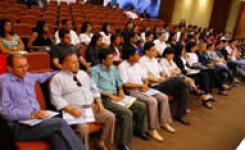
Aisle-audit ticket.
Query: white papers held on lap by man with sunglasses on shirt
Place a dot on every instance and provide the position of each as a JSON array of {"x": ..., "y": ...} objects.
[{"x": 86, "y": 117}]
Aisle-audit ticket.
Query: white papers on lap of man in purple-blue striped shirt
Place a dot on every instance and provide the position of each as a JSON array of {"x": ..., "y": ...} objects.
[{"x": 33, "y": 122}]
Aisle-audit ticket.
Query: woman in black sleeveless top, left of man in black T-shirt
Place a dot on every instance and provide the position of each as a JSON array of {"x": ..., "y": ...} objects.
[{"x": 41, "y": 38}]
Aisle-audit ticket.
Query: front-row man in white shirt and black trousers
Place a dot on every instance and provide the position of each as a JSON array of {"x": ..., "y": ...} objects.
[{"x": 174, "y": 86}]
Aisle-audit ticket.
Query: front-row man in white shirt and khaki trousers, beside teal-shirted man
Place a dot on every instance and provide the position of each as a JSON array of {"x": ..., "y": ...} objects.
[{"x": 134, "y": 79}]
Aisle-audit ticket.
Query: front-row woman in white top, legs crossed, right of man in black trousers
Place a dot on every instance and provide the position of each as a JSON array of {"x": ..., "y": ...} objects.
[{"x": 171, "y": 70}]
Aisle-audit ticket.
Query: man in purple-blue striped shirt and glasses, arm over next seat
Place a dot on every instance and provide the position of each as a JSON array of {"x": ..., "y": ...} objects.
[{"x": 18, "y": 102}]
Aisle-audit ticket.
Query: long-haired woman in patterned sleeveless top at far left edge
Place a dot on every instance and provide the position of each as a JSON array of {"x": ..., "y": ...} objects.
[{"x": 9, "y": 41}]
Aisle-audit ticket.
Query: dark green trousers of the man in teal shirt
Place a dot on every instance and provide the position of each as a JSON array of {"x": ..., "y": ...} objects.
[{"x": 129, "y": 119}]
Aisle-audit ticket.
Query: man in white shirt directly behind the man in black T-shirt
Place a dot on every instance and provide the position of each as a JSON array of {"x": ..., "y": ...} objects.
[{"x": 67, "y": 24}]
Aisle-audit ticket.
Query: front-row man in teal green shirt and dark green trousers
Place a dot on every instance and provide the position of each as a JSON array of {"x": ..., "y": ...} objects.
[{"x": 108, "y": 80}]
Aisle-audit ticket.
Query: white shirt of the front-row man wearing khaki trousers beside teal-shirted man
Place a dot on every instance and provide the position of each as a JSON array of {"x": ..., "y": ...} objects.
[{"x": 131, "y": 73}]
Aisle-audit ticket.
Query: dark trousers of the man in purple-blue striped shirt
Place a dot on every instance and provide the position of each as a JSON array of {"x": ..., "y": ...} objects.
[{"x": 55, "y": 130}]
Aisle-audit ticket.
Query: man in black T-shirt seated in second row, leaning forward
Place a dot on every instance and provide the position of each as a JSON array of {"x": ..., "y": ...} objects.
[{"x": 63, "y": 48}]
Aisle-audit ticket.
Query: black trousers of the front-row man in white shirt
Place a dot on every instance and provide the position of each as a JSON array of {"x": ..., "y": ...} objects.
[{"x": 177, "y": 88}]
